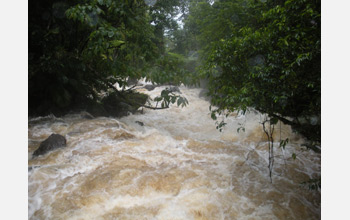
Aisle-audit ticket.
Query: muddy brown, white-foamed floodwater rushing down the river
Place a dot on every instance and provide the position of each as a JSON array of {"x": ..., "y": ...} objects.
[{"x": 176, "y": 166}]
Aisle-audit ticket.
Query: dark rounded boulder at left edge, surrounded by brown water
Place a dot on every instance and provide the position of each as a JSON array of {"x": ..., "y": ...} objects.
[{"x": 53, "y": 142}]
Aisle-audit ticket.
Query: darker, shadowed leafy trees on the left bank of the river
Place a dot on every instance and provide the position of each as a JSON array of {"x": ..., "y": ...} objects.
[{"x": 80, "y": 48}]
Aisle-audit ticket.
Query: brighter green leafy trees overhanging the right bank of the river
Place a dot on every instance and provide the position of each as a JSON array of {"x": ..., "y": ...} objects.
[{"x": 263, "y": 55}]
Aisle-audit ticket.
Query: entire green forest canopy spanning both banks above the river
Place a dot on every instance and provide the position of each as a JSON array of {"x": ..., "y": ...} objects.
[{"x": 259, "y": 54}]
